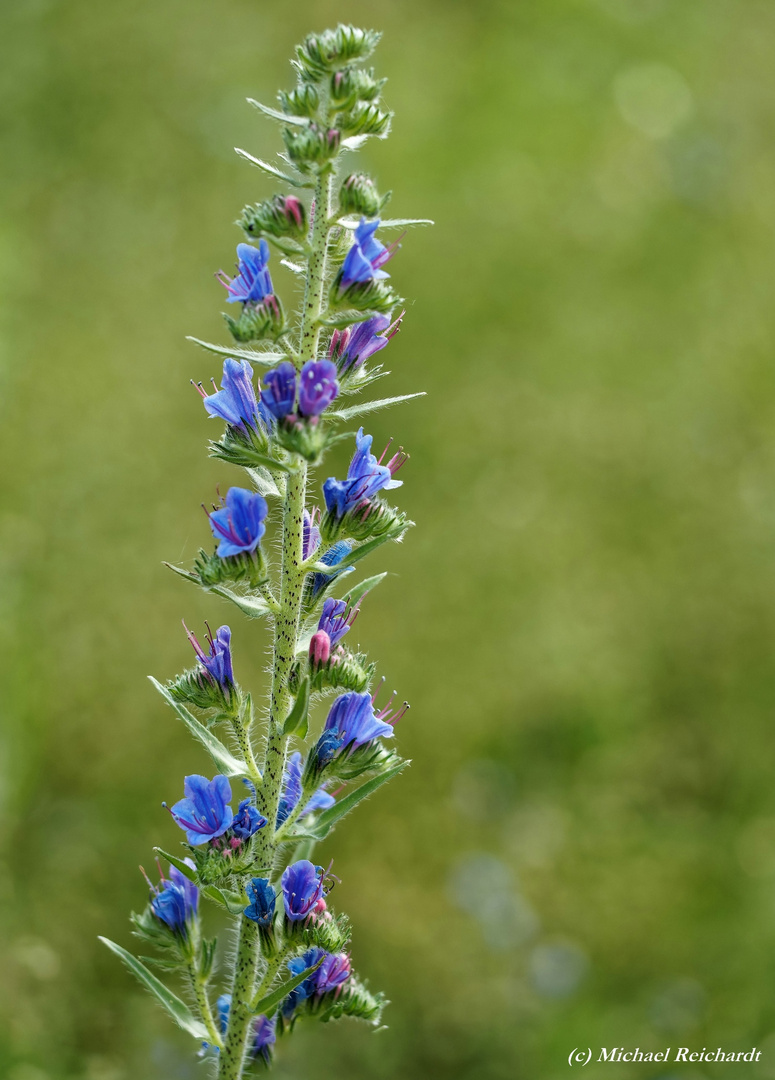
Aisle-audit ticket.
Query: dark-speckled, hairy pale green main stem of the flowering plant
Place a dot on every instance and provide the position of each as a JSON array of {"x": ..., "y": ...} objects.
[{"x": 287, "y": 629}]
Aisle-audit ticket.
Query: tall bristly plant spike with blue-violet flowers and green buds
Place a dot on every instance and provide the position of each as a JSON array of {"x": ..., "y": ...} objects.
[{"x": 280, "y": 781}]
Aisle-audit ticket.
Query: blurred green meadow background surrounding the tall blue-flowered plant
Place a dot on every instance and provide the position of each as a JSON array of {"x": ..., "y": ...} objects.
[{"x": 583, "y": 854}]
